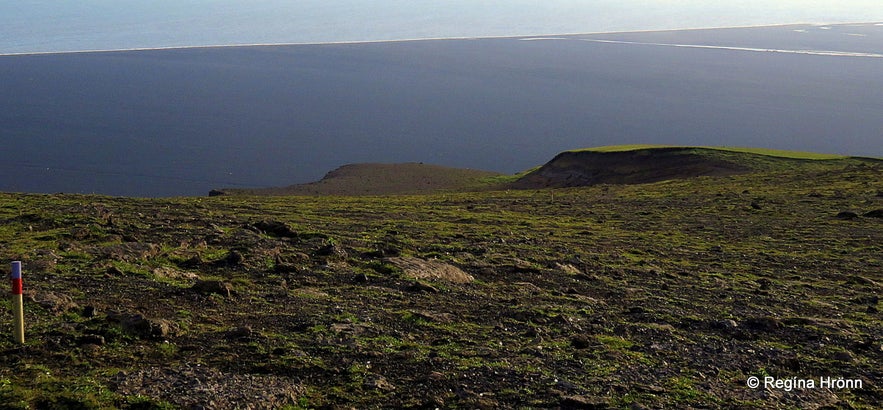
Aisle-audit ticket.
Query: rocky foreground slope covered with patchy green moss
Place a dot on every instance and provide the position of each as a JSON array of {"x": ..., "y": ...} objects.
[{"x": 659, "y": 295}]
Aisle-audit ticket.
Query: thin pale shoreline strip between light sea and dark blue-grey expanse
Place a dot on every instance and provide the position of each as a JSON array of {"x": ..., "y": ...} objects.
[{"x": 541, "y": 36}]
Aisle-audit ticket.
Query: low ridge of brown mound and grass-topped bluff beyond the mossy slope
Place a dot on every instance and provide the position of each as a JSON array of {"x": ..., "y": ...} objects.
[{"x": 624, "y": 164}]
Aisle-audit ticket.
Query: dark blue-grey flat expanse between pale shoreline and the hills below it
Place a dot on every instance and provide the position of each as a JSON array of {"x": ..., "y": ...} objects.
[{"x": 184, "y": 121}]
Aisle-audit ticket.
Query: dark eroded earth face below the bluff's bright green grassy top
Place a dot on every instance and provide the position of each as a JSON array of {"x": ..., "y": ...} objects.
[{"x": 572, "y": 169}]
